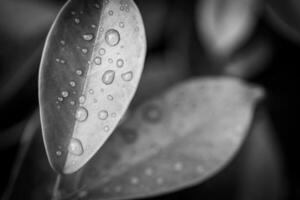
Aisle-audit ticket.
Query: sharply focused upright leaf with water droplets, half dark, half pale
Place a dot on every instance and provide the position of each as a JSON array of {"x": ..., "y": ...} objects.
[{"x": 91, "y": 65}]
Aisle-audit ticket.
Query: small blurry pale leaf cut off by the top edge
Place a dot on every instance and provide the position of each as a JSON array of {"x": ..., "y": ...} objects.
[{"x": 224, "y": 25}]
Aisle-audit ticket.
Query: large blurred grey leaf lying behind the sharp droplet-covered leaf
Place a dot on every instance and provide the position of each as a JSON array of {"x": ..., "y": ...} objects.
[{"x": 174, "y": 141}]
